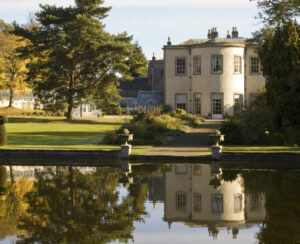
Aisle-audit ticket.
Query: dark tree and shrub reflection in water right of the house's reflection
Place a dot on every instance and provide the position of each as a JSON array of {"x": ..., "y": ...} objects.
[{"x": 282, "y": 192}]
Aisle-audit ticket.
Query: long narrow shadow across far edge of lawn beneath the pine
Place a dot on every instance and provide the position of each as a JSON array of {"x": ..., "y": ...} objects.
[{"x": 58, "y": 120}]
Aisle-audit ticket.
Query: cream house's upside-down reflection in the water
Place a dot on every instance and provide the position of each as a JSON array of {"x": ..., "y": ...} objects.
[{"x": 197, "y": 196}]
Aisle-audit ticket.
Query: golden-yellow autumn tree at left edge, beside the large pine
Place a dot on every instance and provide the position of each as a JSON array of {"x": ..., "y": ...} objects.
[{"x": 12, "y": 66}]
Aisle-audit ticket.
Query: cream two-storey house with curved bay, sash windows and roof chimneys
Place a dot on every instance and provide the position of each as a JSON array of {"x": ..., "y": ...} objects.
[{"x": 211, "y": 77}]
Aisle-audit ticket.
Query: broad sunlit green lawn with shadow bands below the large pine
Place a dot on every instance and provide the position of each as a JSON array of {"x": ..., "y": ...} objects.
[{"x": 58, "y": 133}]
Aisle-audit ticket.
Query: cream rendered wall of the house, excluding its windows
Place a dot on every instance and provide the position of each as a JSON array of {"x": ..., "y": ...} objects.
[{"x": 228, "y": 82}]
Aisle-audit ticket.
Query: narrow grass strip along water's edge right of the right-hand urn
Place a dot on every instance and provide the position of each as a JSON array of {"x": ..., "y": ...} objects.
[{"x": 262, "y": 149}]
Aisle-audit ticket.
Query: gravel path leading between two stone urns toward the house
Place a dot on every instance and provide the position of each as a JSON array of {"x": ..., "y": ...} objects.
[{"x": 192, "y": 143}]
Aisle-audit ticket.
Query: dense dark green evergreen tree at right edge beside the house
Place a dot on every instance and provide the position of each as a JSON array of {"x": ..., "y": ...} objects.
[{"x": 279, "y": 52}]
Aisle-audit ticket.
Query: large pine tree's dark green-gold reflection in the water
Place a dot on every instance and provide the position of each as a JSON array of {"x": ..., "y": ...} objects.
[{"x": 68, "y": 206}]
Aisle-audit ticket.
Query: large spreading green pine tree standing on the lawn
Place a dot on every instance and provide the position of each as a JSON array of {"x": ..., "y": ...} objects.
[{"x": 77, "y": 57}]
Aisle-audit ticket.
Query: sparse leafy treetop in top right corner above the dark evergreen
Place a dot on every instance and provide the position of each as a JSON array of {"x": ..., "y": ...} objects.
[{"x": 275, "y": 12}]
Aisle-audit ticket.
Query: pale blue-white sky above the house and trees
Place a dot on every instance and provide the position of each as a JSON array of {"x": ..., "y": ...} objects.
[{"x": 151, "y": 22}]
